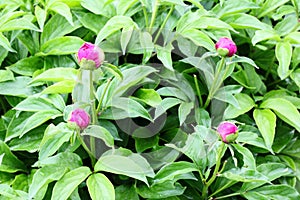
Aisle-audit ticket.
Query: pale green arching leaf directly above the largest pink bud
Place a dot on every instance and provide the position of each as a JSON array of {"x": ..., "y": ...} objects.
[{"x": 114, "y": 24}]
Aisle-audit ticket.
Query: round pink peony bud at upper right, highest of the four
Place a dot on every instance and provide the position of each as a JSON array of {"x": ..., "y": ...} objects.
[{"x": 226, "y": 47}]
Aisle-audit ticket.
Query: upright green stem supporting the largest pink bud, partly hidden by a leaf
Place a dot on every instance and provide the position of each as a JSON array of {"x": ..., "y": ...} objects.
[{"x": 94, "y": 117}]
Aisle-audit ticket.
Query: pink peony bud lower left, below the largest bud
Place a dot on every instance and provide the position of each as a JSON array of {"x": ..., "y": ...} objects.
[{"x": 80, "y": 117}]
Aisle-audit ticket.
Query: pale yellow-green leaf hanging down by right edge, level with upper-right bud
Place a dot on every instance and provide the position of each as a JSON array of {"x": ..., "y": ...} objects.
[{"x": 283, "y": 52}]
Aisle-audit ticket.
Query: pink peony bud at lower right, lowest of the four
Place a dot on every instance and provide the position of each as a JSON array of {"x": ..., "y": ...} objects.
[{"x": 228, "y": 131}]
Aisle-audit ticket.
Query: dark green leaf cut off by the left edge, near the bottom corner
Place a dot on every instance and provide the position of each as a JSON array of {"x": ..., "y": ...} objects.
[{"x": 9, "y": 162}]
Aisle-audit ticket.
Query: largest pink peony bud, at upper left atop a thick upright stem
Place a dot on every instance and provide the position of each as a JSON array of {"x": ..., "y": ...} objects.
[{"x": 91, "y": 52}]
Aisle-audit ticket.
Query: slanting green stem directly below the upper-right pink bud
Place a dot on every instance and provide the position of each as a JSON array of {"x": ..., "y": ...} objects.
[{"x": 216, "y": 83}]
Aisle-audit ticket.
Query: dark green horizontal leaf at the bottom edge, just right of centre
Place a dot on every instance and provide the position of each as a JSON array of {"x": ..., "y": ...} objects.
[{"x": 160, "y": 191}]
